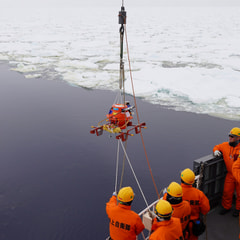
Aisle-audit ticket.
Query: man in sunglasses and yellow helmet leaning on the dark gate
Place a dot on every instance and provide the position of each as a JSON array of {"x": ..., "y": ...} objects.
[{"x": 230, "y": 152}]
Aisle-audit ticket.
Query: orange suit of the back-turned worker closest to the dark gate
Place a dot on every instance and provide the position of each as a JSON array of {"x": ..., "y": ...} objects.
[{"x": 199, "y": 204}]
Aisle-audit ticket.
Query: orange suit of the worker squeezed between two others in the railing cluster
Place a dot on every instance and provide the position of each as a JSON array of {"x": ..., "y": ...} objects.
[{"x": 182, "y": 211}]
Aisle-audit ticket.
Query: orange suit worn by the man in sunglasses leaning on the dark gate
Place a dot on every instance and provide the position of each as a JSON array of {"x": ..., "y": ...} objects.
[{"x": 230, "y": 155}]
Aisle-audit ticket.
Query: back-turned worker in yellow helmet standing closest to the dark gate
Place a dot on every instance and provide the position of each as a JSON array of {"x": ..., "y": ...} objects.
[{"x": 198, "y": 201}]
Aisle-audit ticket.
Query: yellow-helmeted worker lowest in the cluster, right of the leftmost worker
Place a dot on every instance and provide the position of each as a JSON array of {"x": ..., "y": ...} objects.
[{"x": 165, "y": 227}]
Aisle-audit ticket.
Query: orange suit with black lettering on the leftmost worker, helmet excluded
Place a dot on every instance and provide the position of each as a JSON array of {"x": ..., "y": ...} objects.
[{"x": 123, "y": 222}]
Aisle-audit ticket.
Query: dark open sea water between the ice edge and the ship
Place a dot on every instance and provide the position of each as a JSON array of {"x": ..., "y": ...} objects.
[{"x": 55, "y": 177}]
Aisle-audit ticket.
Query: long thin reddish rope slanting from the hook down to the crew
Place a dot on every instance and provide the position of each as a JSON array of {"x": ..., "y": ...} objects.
[{"x": 135, "y": 102}]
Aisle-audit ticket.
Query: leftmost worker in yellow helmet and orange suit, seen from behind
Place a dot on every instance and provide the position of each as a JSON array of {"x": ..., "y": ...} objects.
[{"x": 123, "y": 222}]
